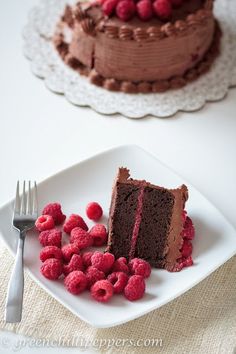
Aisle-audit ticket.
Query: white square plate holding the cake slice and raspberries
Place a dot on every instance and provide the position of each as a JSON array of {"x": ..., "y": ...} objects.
[{"x": 91, "y": 180}]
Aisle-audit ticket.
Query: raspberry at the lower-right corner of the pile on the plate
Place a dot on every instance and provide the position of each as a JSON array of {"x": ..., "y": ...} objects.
[{"x": 135, "y": 288}]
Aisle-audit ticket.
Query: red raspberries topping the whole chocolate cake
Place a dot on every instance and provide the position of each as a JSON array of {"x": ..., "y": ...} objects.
[{"x": 144, "y": 9}]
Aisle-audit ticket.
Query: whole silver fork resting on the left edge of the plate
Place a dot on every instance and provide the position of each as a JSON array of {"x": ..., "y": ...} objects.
[{"x": 24, "y": 217}]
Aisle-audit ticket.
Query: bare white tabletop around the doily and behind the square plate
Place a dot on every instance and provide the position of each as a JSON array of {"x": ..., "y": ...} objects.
[{"x": 41, "y": 133}]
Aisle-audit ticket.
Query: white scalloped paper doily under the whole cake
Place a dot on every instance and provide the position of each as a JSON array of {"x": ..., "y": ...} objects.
[{"x": 47, "y": 64}]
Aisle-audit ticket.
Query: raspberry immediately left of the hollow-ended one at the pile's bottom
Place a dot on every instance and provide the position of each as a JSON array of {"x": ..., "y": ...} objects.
[{"x": 76, "y": 282}]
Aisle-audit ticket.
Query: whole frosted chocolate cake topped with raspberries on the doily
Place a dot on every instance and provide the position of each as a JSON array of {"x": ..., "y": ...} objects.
[{"x": 139, "y": 46}]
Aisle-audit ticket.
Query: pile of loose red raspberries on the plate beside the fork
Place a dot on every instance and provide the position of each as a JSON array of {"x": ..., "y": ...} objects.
[{"x": 98, "y": 272}]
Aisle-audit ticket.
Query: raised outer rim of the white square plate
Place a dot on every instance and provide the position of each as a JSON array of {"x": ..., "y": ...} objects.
[{"x": 152, "y": 308}]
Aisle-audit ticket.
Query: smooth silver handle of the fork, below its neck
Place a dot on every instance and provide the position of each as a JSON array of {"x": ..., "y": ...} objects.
[{"x": 13, "y": 309}]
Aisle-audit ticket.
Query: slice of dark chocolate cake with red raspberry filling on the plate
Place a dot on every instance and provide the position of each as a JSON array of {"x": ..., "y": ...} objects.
[{"x": 147, "y": 221}]
